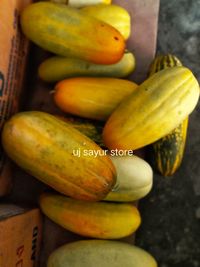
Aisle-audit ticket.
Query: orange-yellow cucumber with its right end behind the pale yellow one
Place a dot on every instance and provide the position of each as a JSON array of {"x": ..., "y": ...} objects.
[{"x": 90, "y": 97}]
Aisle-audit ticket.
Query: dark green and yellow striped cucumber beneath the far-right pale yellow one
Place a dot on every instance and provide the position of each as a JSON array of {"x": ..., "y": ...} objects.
[{"x": 165, "y": 155}]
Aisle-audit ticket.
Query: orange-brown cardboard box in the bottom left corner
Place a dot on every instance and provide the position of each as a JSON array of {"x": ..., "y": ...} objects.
[{"x": 20, "y": 236}]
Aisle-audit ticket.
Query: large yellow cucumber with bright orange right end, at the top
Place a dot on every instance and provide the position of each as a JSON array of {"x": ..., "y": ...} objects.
[{"x": 66, "y": 31}]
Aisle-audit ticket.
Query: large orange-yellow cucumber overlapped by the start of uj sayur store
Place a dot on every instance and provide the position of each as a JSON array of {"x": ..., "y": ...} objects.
[{"x": 55, "y": 153}]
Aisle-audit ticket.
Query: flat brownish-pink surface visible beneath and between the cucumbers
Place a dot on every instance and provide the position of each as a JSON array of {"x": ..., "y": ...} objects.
[{"x": 142, "y": 43}]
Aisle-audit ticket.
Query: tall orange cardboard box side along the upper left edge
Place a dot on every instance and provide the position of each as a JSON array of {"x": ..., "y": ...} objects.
[{"x": 14, "y": 48}]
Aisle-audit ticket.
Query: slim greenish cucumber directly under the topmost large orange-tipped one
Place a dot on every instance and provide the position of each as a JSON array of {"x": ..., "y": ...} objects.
[{"x": 59, "y": 68}]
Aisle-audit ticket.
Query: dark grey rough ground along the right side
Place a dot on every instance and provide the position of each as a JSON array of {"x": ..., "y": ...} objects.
[{"x": 171, "y": 212}]
